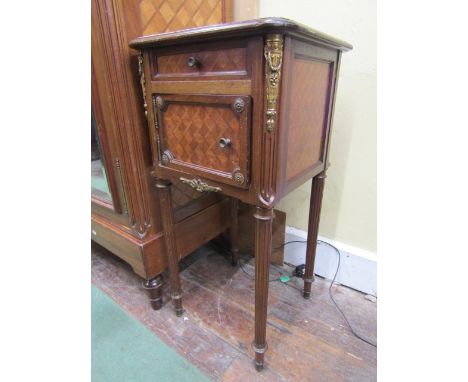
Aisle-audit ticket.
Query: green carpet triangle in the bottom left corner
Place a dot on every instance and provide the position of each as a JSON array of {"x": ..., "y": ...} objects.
[{"x": 123, "y": 349}]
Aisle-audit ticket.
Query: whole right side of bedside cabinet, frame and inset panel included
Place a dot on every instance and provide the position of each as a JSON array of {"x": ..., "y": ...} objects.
[{"x": 306, "y": 149}]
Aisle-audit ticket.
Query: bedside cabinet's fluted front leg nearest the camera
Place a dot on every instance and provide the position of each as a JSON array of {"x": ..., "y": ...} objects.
[{"x": 263, "y": 224}]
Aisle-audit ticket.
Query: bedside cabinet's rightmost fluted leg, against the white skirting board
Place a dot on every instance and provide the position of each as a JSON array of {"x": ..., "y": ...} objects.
[{"x": 314, "y": 219}]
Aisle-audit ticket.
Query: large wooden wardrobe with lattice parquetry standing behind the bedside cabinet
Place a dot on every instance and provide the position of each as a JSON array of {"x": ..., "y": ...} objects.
[{"x": 131, "y": 225}]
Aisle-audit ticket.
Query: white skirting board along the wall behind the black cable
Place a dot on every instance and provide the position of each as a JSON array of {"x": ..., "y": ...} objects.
[{"x": 358, "y": 269}]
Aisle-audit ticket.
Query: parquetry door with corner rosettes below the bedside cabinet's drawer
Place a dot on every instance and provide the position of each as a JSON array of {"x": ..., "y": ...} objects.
[{"x": 205, "y": 135}]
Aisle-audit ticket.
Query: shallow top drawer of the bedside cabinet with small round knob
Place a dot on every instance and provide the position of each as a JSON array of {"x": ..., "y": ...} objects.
[{"x": 200, "y": 61}]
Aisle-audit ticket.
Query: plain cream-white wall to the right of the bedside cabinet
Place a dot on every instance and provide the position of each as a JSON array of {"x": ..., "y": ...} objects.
[{"x": 349, "y": 204}]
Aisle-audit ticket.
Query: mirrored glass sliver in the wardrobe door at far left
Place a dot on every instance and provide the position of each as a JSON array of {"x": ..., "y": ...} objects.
[{"x": 99, "y": 185}]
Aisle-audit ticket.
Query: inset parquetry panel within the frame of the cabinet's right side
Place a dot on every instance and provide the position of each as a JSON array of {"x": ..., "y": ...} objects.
[{"x": 307, "y": 114}]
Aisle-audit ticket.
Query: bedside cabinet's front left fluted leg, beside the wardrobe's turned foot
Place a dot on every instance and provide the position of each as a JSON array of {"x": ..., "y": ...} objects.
[{"x": 165, "y": 200}]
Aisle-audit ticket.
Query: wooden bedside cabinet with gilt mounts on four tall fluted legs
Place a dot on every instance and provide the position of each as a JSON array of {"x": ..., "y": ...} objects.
[{"x": 243, "y": 109}]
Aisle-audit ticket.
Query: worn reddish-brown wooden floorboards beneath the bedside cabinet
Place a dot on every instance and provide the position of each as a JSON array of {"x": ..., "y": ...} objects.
[{"x": 308, "y": 340}]
